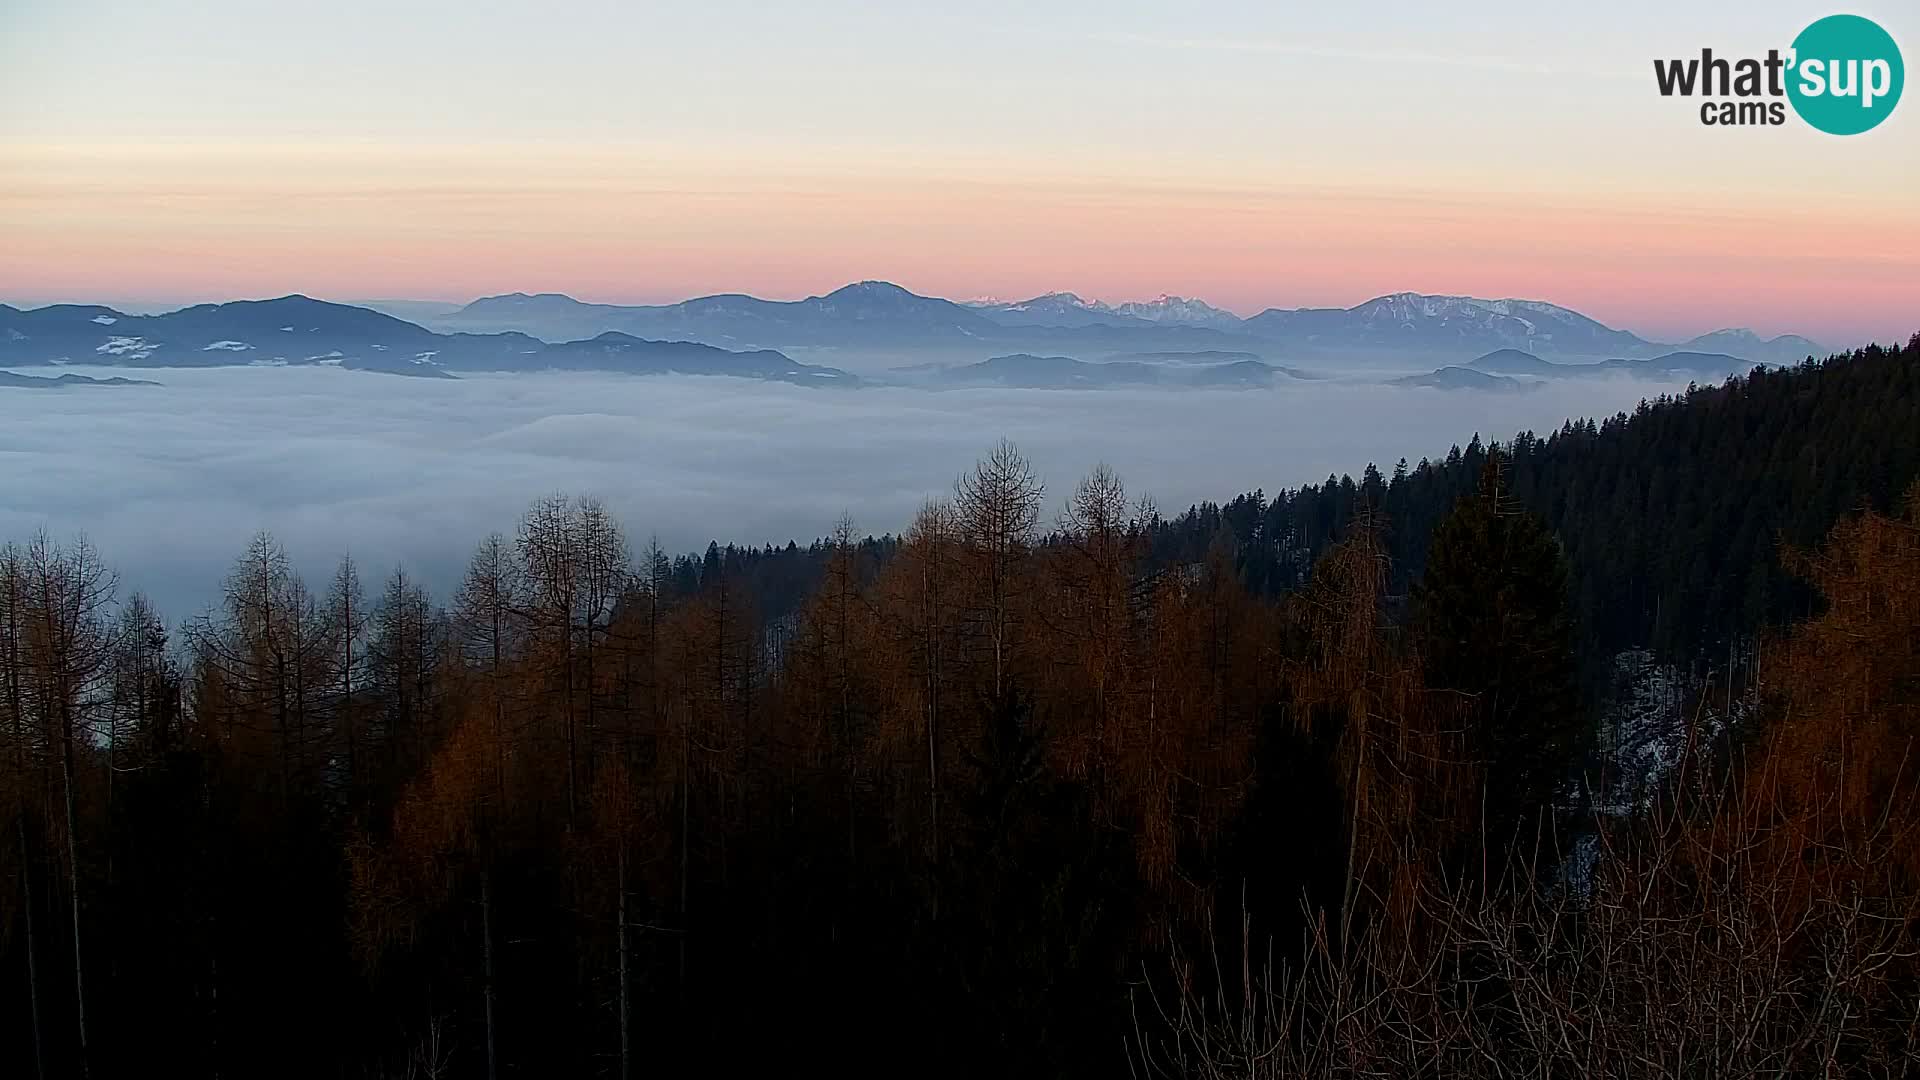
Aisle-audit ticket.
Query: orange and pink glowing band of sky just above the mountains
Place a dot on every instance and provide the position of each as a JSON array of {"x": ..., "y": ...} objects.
[{"x": 193, "y": 220}]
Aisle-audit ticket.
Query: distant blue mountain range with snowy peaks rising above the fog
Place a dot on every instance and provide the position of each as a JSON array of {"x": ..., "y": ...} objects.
[{"x": 748, "y": 337}]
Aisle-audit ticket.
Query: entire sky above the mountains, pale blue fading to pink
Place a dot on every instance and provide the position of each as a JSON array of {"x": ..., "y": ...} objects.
[{"x": 1249, "y": 153}]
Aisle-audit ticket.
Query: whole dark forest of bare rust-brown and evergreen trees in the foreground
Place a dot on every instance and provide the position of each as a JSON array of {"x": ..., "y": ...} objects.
[{"x": 1299, "y": 785}]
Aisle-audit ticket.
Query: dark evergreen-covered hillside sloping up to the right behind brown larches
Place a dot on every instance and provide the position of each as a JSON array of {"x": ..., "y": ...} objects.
[{"x": 1671, "y": 516}]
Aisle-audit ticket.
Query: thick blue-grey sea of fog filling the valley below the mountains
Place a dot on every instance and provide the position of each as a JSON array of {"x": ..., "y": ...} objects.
[{"x": 170, "y": 481}]
